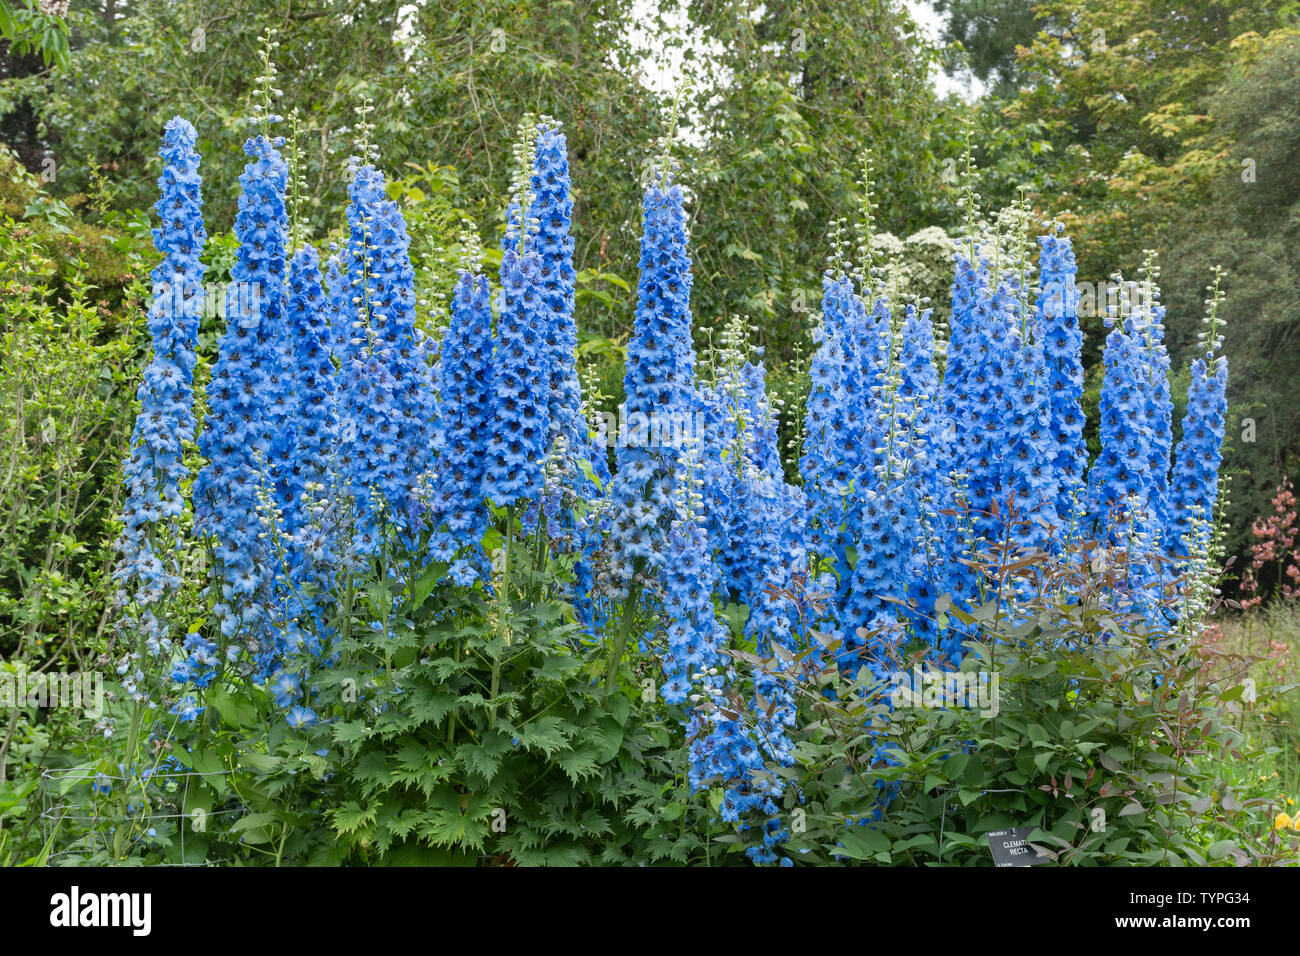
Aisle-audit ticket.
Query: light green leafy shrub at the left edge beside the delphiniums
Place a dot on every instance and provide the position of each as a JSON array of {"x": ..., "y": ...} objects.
[{"x": 66, "y": 373}]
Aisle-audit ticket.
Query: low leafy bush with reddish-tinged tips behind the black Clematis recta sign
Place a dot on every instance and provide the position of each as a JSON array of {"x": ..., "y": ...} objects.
[{"x": 1095, "y": 733}]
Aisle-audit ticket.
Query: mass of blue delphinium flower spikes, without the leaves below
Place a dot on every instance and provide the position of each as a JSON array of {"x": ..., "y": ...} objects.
[{"x": 336, "y": 427}]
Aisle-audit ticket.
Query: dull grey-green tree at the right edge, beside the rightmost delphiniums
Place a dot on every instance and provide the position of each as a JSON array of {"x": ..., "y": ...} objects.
[{"x": 1251, "y": 226}]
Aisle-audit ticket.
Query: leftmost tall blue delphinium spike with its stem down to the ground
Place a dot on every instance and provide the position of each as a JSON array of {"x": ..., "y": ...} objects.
[{"x": 154, "y": 552}]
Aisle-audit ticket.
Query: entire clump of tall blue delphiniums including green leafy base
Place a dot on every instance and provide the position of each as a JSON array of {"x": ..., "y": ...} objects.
[{"x": 439, "y": 629}]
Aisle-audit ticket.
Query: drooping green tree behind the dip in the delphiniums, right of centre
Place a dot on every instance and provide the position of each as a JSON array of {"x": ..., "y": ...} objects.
[{"x": 796, "y": 96}]
